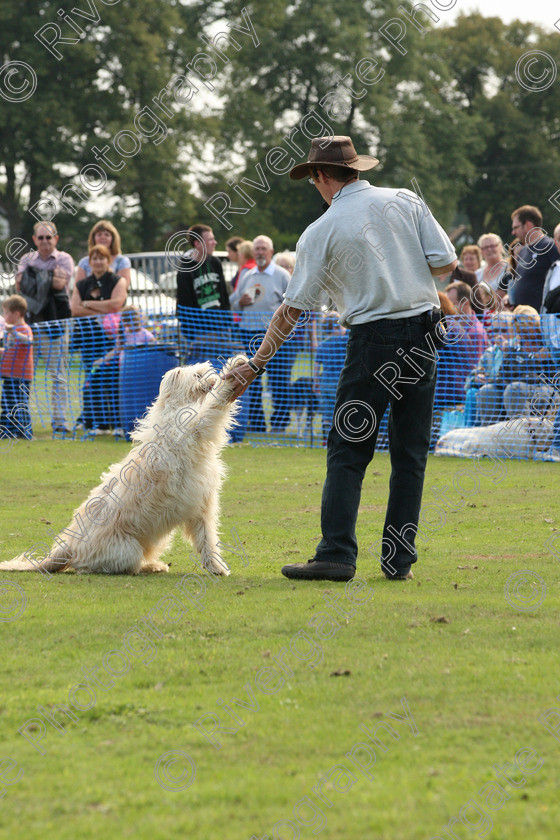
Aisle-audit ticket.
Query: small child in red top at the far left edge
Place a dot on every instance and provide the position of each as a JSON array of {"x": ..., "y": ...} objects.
[{"x": 16, "y": 370}]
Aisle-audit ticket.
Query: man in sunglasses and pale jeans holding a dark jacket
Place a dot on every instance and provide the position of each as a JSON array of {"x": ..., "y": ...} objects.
[{"x": 43, "y": 276}]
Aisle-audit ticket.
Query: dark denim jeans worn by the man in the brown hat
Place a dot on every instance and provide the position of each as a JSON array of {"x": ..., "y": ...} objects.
[{"x": 361, "y": 402}]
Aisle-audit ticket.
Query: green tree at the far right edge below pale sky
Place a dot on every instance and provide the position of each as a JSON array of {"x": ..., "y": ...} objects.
[{"x": 515, "y": 157}]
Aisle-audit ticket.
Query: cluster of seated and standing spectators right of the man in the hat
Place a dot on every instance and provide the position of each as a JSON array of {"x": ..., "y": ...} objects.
[{"x": 515, "y": 371}]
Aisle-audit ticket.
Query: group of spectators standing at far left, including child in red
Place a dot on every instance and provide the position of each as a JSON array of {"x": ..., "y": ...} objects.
[{"x": 43, "y": 281}]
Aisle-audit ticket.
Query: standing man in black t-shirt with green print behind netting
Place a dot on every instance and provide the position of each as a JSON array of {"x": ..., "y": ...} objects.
[{"x": 202, "y": 298}]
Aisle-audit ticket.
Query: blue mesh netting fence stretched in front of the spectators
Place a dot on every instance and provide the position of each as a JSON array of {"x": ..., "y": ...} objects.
[{"x": 498, "y": 387}]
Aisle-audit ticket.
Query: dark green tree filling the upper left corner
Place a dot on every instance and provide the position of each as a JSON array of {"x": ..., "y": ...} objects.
[{"x": 91, "y": 95}]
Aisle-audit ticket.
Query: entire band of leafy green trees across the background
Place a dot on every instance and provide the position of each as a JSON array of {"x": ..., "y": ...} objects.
[{"x": 449, "y": 112}]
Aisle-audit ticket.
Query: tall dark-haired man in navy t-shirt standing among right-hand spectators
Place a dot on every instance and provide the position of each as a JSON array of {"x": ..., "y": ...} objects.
[{"x": 533, "y": 260}]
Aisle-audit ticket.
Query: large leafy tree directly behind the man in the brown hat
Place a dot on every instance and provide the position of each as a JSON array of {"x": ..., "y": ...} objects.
[{"x": 334, "y": 60}]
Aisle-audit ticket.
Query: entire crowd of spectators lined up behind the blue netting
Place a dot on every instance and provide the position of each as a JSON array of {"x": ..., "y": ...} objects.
[{"x": 494, "y": 363}]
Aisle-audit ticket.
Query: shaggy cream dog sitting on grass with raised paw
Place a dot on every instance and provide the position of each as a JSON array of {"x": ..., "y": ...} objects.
[{"x": 171, "y": 478}]
